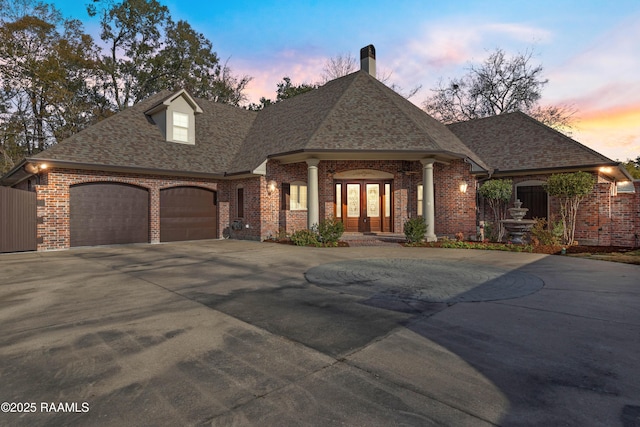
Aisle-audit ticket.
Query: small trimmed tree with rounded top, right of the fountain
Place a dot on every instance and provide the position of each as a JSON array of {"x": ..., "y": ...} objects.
[{"x": 570, "y": 189}]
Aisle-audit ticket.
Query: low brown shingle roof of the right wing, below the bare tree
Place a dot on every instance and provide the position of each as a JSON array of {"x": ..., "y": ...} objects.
[{"x": 515, "y": 141}]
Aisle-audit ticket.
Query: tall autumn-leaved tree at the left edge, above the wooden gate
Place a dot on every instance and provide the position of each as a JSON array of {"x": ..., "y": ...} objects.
[{"x": 46, "y": 65}]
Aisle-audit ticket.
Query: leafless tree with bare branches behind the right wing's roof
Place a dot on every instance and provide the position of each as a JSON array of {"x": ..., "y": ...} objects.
[{"x": 501, "y": 84}]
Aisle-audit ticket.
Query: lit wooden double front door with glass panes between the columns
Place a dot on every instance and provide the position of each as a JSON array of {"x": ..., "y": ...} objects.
[{"x": 361, "y": 204}]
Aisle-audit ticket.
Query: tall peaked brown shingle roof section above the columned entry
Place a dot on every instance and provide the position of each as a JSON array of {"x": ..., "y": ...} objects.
[{"x": 352, "y": 113}]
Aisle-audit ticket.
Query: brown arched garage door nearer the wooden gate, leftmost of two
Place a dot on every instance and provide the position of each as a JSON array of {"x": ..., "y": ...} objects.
[{"x": 108, "y": 213}]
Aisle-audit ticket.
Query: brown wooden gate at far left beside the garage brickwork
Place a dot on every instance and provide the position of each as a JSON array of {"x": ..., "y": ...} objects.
[{"x": 18, "y": 224}]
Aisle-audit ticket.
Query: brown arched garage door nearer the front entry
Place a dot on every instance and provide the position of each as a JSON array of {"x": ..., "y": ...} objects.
[{"x": 187, "y": 213}]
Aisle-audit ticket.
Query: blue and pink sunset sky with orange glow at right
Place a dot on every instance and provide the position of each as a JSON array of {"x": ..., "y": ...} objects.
[{"x": 590, "y": 50}]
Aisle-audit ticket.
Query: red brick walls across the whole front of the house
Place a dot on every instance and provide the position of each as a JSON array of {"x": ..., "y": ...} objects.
[{"x": 604, "y": 218}]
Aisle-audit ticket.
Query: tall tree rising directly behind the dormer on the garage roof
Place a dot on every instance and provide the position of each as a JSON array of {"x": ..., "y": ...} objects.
[{"x": 148, "y": 52}]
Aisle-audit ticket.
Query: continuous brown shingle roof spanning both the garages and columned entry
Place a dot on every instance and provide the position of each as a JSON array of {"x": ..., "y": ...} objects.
[{"x": 355, "y": 112}]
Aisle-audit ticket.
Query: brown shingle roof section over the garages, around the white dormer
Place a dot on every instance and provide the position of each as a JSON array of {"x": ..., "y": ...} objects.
[{"x": 131, "y": 139}]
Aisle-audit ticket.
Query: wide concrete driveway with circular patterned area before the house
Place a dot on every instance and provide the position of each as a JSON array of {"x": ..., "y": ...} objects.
[{"x": 232, "y": 333}]
